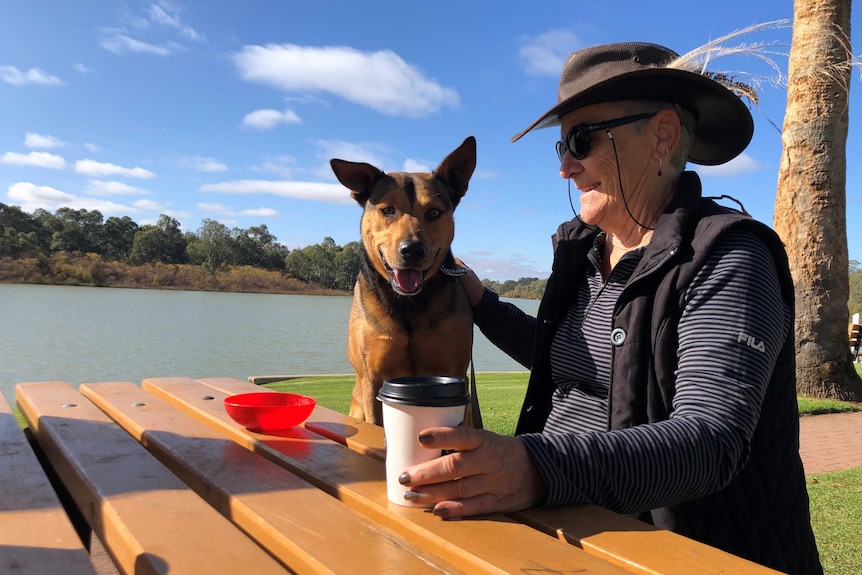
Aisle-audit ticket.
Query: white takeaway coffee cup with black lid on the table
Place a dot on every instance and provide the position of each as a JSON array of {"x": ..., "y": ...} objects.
[{"x": 411, "y": 404}]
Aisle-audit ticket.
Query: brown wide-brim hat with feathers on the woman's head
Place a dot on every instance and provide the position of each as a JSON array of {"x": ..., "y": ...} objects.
[{"x": 723, "y": 125}]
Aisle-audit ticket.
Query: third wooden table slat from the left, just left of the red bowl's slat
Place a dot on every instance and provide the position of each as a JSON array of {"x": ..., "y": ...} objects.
[{"x": 318, "y": 535}]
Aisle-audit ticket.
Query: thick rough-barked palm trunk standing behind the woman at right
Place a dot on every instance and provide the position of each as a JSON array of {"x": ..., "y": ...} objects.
[{"x": 811, "y": 200}]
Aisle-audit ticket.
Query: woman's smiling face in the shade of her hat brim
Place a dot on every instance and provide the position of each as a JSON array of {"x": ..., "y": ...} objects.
[{"x": 596, "y": 175}]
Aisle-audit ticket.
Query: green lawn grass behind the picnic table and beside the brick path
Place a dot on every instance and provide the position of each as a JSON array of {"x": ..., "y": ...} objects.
[{"x": 836, "y": 498}]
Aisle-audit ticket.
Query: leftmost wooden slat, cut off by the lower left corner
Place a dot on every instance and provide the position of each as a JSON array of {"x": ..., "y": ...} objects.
[{"x": 38, "y": 536}]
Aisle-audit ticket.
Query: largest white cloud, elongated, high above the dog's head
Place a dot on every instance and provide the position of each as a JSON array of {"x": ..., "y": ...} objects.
[{"x": 379, "y": 80}]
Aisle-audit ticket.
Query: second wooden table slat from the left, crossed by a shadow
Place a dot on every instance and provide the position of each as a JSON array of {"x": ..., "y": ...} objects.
[{"x": 149, "y": 521}]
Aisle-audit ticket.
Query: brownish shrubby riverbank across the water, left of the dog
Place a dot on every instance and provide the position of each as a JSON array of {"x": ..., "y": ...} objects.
[{"x": 91, "y": 270}]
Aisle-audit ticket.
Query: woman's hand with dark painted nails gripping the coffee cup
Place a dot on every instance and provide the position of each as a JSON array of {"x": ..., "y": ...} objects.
[{"x": 486, "y": 473}]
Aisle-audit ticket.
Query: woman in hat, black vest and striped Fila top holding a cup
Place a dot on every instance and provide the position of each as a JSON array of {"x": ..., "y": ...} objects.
[{"x": 662, "y": 359}]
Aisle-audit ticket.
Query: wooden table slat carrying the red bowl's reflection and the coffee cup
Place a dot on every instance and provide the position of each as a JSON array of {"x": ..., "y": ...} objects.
[{"x": 496, "y": 544}]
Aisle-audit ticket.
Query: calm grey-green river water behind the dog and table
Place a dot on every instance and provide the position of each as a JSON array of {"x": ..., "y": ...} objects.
[{"x": 82, "y": 334}]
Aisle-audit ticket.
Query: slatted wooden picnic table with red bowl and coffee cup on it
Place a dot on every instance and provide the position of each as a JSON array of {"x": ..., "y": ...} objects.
[{"x": 168, "y": 483}]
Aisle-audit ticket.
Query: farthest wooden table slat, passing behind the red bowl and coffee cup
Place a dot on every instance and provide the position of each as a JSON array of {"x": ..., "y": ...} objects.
[{"x": 621, "y": 540}]
